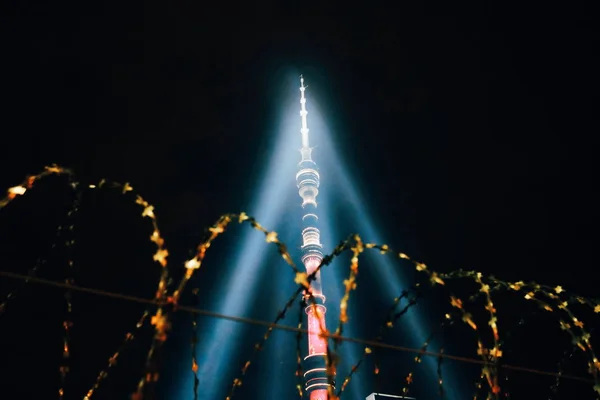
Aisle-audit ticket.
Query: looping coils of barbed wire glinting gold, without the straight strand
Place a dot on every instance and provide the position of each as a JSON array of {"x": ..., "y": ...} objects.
[{"x": 554, "y": 300}]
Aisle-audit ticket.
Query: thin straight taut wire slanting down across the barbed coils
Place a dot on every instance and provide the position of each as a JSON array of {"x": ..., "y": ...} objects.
[{"x": 251, "y": 321}]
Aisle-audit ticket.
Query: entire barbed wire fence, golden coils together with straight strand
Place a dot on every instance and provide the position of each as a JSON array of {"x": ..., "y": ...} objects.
[{"x": 165, "y": 302}]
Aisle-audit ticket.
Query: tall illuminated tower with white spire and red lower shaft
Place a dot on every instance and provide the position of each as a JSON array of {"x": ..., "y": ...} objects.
[{"x": 307, "y": 179}]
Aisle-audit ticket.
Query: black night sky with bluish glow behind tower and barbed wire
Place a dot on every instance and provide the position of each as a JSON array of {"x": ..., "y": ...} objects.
[{"x": 468, "y": 131}]
